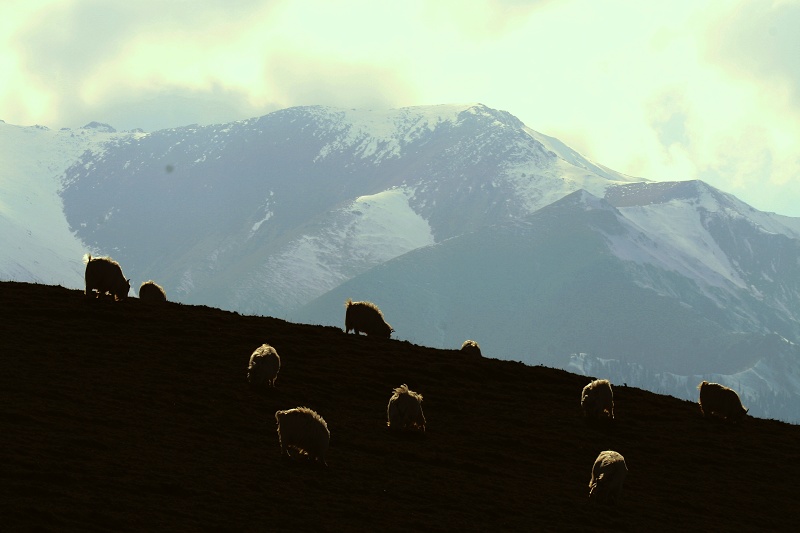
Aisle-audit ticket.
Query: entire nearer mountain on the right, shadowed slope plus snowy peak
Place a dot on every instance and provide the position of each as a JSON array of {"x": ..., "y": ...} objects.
[{"x": 581, "y": 276}]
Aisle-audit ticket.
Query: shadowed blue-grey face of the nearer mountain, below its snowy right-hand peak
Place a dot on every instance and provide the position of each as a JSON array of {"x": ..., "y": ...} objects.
[{"x": 571, "y": 293}]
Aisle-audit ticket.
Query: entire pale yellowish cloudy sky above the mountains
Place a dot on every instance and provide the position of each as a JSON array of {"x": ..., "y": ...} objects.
[{"x": 668, "y": 90}]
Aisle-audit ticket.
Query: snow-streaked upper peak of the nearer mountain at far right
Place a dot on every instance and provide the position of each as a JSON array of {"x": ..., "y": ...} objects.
[{"x": 743, "y": 261}]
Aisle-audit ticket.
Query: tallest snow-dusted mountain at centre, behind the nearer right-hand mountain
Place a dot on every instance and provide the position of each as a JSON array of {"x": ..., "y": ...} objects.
[{"x": 266, "y": 214}]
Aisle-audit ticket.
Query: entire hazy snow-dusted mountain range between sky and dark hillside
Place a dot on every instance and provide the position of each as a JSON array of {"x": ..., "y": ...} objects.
[{"x": 458, "y": 221}]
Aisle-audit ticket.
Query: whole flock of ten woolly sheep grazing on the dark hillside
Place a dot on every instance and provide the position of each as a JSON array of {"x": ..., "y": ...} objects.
[{"x": 305, "y": 432}]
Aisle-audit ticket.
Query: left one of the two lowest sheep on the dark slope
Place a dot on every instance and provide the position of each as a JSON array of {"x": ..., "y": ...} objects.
[{"x": 305, "y": 431}]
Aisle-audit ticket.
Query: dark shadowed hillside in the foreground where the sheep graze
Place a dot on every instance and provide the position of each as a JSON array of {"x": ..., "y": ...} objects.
[{"x": 128, "y": 416}]
